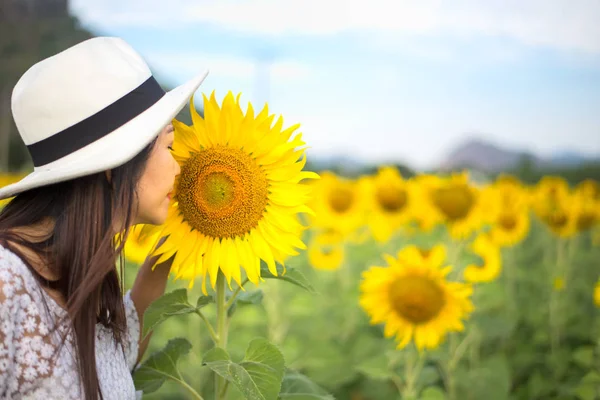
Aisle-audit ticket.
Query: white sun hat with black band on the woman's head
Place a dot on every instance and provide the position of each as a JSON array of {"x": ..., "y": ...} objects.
[{"x": 88, "y": 109}]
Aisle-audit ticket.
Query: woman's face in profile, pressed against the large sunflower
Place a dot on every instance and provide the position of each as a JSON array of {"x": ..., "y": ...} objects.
[{"x": 155, "y": 187}]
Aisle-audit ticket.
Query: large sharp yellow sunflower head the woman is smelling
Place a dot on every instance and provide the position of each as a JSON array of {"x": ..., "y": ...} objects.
[{"x": 238, "y": 195}]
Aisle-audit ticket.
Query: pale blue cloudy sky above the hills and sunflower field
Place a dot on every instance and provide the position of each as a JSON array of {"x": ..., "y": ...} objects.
[{"x": 384, "y": 81}]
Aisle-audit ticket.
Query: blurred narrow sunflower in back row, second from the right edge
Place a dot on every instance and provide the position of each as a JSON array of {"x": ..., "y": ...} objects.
[{"x": 553, "y": 204}]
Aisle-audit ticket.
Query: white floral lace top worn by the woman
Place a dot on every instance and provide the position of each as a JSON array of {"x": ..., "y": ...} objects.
[{"x": 28, "y": 367}]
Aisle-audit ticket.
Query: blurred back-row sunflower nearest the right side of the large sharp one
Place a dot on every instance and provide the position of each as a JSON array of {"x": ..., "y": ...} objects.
[{"x": 338, "y": 203}]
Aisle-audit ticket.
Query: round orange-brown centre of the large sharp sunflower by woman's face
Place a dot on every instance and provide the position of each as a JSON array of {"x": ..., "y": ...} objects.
[{"x": 222, "y": 192}]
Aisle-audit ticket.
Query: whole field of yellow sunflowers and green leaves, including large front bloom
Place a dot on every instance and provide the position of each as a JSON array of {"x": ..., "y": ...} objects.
[{"x": 377, "y": 287}]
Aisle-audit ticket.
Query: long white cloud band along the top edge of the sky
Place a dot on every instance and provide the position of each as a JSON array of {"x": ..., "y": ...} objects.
[{"x": 569, "y": 25}]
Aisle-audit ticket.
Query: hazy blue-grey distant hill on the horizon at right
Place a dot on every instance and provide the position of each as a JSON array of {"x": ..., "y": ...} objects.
[{"x": 486, "y": 156}]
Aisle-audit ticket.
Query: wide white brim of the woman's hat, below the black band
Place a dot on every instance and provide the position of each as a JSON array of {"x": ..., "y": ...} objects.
[{"x": 114, "y": 149}]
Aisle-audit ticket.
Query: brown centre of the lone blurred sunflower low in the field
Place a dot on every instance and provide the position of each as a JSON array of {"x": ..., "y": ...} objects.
[{"x": 416, "y": 298}]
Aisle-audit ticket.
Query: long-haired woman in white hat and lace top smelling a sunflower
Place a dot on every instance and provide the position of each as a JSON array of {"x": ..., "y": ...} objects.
[{"x": 97, "y": 127}]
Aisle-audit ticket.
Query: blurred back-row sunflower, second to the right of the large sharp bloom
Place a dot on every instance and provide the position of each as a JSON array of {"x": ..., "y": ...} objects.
[{"x": 390, "y": 199}]
